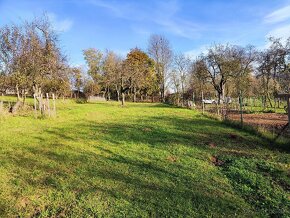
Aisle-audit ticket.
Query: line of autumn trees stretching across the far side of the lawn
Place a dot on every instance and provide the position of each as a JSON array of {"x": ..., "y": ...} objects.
[{"x": 32, "y": 63}]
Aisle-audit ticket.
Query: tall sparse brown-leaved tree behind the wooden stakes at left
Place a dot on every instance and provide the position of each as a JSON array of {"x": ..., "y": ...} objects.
[{"x": 43, "y": 60}]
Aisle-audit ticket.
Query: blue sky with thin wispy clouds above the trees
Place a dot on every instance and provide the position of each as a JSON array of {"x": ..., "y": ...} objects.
[{"x": 191, "y": 26}]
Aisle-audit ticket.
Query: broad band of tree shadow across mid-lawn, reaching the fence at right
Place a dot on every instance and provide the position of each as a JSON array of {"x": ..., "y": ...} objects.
[{"x": 165, "y": 132}]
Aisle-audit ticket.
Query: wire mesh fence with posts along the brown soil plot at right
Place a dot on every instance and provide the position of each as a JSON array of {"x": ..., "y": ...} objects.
[{"x": 254, "y": 111}]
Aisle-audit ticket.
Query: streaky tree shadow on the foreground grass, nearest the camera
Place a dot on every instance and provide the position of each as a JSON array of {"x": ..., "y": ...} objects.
[{"x": 153, "y": 186}]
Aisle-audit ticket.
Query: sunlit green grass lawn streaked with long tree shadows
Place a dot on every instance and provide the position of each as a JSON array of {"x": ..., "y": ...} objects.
[{"x": 143, "y": 160}]
